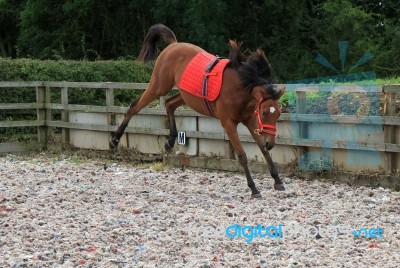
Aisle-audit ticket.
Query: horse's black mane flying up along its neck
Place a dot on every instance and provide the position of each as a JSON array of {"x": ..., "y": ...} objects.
[{"x": 254, "y": 70}]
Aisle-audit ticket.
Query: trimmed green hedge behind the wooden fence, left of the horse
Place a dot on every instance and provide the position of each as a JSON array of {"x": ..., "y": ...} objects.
[{"x": 72, "y": 71}]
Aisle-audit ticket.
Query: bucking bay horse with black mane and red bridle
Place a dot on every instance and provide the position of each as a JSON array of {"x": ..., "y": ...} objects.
[{"x": 247, "y": 96}]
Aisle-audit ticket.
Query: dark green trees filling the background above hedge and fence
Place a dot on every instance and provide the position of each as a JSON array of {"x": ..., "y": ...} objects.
[{"x": 291, "y": 32}]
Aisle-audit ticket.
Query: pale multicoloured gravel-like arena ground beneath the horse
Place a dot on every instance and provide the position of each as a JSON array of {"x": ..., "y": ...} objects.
[{"x": 64, "y": 212}]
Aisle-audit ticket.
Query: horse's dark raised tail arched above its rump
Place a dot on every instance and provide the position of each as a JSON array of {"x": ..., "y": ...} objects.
[{"x": 150, "y": 50}]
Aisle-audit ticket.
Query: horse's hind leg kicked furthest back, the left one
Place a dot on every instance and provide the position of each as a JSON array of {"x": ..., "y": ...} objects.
[{"x": 135, "y": 107}]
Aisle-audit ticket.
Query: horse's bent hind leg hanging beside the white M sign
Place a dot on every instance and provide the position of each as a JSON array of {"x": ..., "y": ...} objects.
[{"x": 171, "y": 104}]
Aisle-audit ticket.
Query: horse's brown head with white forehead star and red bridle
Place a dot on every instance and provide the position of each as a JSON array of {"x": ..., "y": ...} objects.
[{"x": 267, "y": 112}]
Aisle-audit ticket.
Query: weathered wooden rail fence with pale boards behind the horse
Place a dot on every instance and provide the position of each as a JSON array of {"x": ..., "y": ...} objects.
[{"x": 355, "y": 142}]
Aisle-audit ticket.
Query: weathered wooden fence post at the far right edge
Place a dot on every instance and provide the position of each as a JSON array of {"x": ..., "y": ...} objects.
[{"x": 390, "y": 130}]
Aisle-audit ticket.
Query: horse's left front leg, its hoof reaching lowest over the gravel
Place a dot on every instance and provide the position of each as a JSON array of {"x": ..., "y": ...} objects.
[{"x": 231, "y": 130}]
